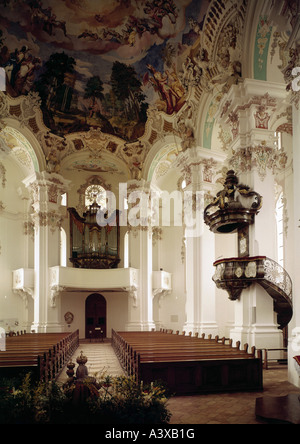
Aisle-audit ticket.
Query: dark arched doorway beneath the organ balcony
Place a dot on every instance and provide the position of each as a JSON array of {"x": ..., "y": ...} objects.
[{"x": 95, "y": 316}]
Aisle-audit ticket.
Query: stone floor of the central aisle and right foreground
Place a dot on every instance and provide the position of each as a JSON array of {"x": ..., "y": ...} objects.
[{"x": 227, "y": 408}]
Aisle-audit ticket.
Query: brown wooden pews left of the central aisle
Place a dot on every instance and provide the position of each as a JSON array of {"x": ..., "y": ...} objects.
[{"x": 43, "y": 354}]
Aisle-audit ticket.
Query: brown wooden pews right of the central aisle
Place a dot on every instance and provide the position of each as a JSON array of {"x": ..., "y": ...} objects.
[{"x": 188, "y": 364}]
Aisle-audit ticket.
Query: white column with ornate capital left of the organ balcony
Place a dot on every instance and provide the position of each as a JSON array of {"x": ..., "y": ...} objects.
[{"x": 46, "y": 190}]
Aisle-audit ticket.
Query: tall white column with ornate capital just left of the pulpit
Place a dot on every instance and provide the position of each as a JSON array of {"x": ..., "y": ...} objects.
[{"x": 200, "y": 170}]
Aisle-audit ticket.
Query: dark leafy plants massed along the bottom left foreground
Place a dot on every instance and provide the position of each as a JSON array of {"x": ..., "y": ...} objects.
[{"x": 99, "y": 400}]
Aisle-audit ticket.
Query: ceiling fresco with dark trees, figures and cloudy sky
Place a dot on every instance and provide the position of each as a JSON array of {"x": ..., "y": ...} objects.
[{"x": 99, "y": 63}]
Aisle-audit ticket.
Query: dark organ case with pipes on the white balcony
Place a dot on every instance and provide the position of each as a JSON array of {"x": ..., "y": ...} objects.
[{"x": 94, "y": 246}]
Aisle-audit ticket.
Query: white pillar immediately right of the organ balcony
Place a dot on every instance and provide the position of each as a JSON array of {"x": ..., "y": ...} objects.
[{"x": 140, "y": 302}]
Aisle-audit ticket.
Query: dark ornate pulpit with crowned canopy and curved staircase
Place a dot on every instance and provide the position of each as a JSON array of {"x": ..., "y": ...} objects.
[{"x": 234, "y": 209}]
